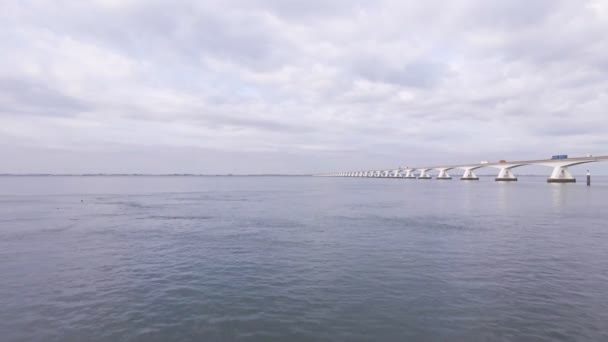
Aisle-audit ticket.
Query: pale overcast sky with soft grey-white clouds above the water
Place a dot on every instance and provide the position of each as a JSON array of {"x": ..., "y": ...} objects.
[{"x": 271, "y": 86}]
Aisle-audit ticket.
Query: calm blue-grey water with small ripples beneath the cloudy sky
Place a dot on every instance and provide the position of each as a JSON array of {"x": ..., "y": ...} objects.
[{"x": 301, "y": 259}]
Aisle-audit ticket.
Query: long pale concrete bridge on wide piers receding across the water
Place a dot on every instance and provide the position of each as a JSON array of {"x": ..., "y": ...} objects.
[{"x": 560, "y": 173}]
